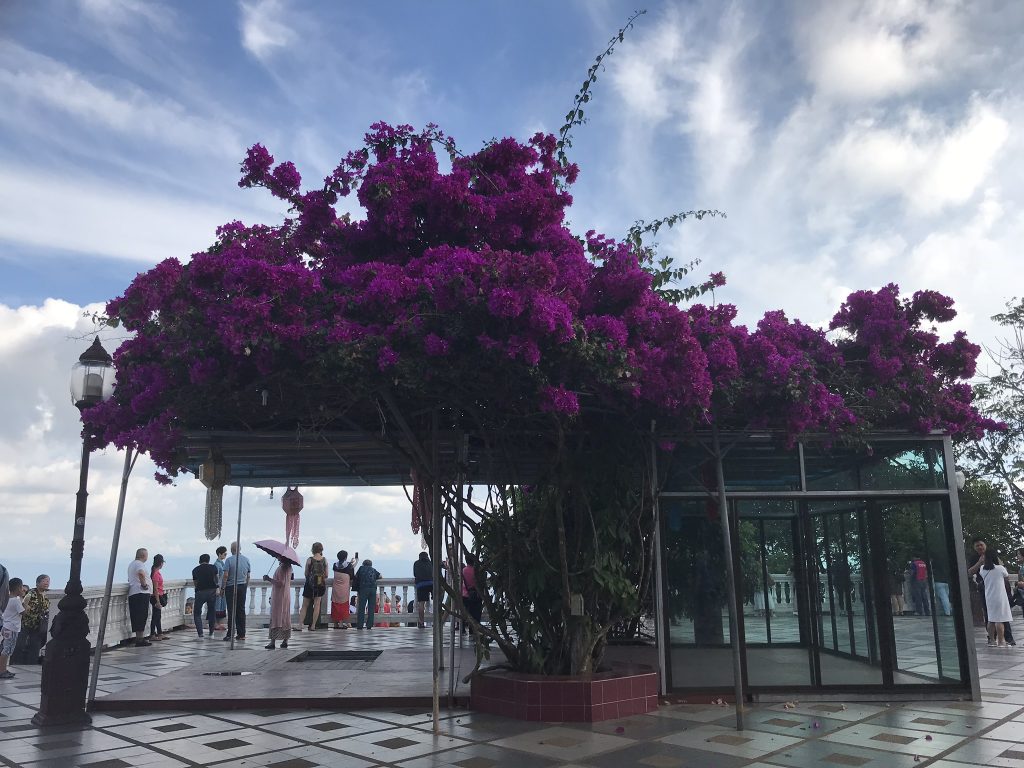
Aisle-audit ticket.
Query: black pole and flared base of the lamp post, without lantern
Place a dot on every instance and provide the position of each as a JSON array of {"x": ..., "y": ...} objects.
[{"x": 66, "y": 668}]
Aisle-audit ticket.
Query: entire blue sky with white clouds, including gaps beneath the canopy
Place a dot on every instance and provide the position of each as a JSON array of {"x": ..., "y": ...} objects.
[{"x": 851, "y": 145}]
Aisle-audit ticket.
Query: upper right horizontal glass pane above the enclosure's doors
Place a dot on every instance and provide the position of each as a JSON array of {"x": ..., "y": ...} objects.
[{"x": 885, "y": 465}]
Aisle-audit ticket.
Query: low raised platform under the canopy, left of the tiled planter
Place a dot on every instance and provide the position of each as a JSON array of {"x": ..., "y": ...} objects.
[{"x": 187, "y": 673}]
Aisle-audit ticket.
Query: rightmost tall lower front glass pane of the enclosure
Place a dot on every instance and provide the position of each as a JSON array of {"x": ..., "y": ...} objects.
[{"x": 925, "y": 637}]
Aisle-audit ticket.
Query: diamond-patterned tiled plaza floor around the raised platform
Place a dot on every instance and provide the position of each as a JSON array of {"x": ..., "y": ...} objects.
[{"x": 941, "y": 735}]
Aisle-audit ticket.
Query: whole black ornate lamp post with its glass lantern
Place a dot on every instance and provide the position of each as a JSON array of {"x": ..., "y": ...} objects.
[{"x": 66, "y": 668}]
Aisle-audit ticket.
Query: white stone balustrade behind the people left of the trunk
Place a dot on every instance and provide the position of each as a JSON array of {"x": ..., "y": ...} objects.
[{"x": 178, "y": 613}]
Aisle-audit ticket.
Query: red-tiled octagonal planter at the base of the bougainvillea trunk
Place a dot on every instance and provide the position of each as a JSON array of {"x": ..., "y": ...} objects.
[{"x": 624, "y": 691}]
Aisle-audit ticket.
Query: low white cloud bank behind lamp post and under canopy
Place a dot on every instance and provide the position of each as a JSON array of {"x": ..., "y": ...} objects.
[{"x": 40, "y": 449}]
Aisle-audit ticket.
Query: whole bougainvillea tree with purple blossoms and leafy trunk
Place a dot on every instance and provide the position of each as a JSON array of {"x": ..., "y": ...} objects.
[{"x": 460, "y": 291}]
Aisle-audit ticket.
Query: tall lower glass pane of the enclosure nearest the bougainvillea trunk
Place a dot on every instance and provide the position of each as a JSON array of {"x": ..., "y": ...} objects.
[{"x": 696, "y": 580}]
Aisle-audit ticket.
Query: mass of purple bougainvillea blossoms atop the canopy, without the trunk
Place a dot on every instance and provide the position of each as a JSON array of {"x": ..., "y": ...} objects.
[{"x": 466, "y": 289}]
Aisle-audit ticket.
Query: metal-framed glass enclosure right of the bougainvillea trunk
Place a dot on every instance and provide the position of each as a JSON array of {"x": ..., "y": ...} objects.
[{"x": 844, "y": 561}]
